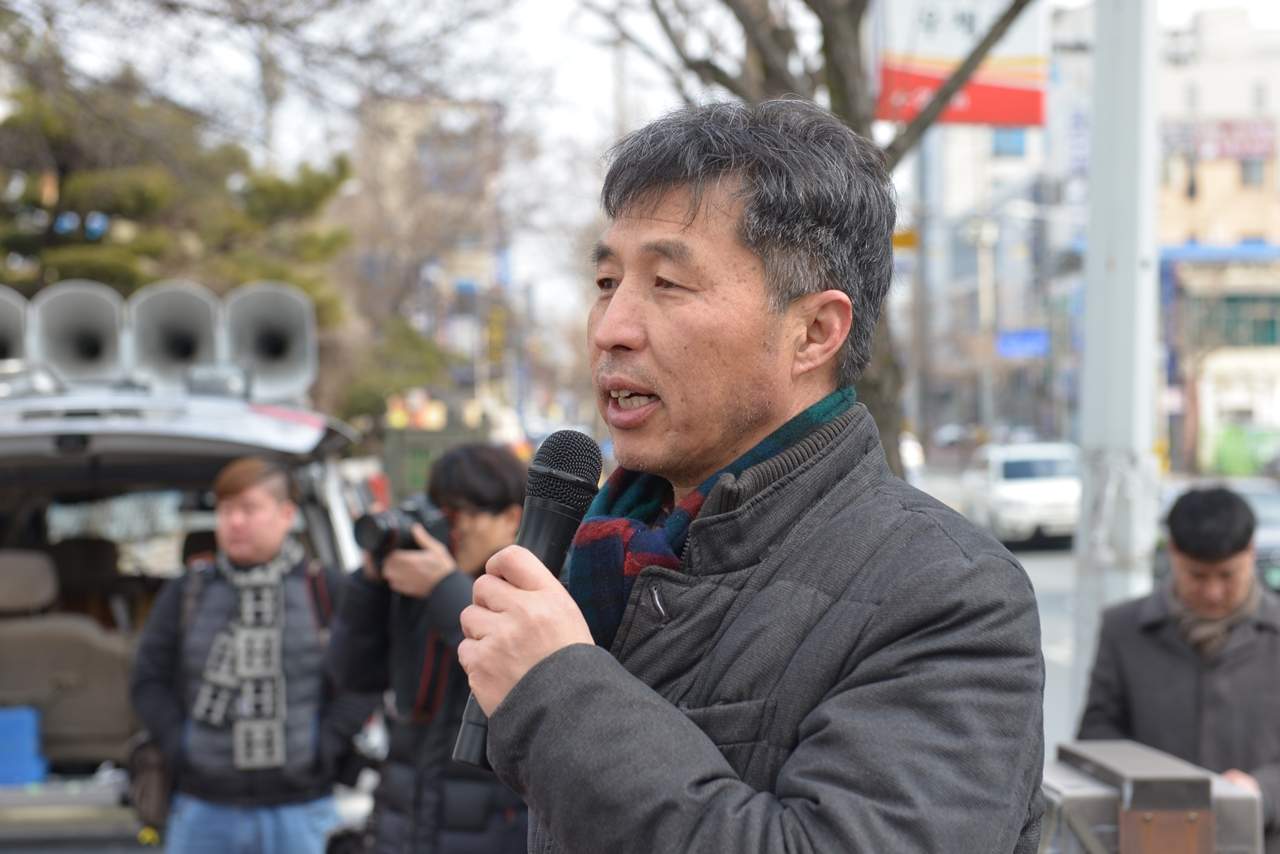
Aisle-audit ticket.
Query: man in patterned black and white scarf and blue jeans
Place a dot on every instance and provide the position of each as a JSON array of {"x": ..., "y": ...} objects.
[{"x": 230, "y": 682}]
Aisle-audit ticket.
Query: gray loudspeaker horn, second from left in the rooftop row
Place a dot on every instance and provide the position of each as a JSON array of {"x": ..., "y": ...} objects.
[{"x": 75, "y": 328}]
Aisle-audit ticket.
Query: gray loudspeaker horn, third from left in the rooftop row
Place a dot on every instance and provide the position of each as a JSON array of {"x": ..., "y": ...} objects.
[{"x": 176, "y": 326}]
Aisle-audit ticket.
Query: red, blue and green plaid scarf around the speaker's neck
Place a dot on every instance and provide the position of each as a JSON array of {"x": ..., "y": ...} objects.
[{"x": 634, "y": 523}]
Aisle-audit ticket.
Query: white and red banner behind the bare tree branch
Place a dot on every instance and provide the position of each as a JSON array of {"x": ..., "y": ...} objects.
[{"x": 924, "y": 42}]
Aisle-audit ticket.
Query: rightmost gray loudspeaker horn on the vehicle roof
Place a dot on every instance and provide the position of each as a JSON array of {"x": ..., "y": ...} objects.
[{"x": 272, "y": 334}]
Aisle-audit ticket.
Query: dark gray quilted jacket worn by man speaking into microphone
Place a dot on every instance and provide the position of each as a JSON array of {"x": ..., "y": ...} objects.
[{"x": 842, "y": 665}]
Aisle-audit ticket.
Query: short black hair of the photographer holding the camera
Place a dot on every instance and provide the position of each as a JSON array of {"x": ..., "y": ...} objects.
[{"x": 478, "y": 477}]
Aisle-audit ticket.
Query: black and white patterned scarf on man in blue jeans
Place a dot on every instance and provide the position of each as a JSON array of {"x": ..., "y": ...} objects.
[{"x": 243, "y": 684}]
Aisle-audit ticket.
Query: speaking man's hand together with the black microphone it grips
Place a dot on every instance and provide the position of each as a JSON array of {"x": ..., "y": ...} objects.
[{"x": 522, "y": 613}]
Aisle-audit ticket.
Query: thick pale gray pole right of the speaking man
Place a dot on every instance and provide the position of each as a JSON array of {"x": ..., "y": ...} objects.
[{"x": 1117, "y": 535}]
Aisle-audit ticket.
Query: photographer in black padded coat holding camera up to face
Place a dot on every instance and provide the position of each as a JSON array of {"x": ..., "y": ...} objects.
[{"x": 399, "y": 628}]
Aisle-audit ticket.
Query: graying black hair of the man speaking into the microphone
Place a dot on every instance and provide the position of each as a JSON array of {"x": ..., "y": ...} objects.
[{"x": 819, "y": 200}]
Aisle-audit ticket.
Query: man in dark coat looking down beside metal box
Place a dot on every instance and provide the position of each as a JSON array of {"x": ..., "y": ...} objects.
[{"x": 1195, "y": 669}]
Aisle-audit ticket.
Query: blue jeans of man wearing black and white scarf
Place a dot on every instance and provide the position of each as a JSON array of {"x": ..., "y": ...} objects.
[{"x": 203, "y": 828}]
